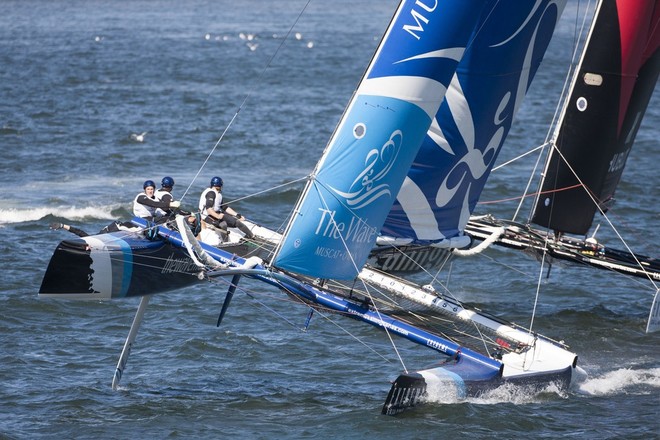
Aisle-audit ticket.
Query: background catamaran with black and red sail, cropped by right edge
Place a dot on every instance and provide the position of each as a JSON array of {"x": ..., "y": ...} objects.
[{"x": 610, "y": 91}]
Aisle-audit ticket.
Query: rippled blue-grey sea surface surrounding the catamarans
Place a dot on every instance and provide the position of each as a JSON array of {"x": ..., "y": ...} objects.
[{"x": 78, "y": 77}]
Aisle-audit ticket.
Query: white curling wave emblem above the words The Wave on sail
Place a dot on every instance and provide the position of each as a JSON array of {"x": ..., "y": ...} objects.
[{"x": 370, "y": 183}]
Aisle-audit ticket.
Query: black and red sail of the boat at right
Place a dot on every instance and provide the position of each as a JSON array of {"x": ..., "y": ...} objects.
[{"x": 615, "y": 81}]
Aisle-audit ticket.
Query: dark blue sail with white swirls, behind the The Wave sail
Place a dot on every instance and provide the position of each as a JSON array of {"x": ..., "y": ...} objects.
[{"x": 446, "y": 179}]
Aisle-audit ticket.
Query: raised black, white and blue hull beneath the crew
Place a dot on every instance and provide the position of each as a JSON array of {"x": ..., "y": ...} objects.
[{"x": 136, "y": 262}]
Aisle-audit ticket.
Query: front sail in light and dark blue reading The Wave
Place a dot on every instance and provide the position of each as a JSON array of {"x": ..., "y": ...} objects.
[{"x": 343, "y": 207}]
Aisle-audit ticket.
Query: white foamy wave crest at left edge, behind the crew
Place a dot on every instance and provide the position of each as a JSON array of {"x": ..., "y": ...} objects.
[{"x": 15, "y": 215}]
